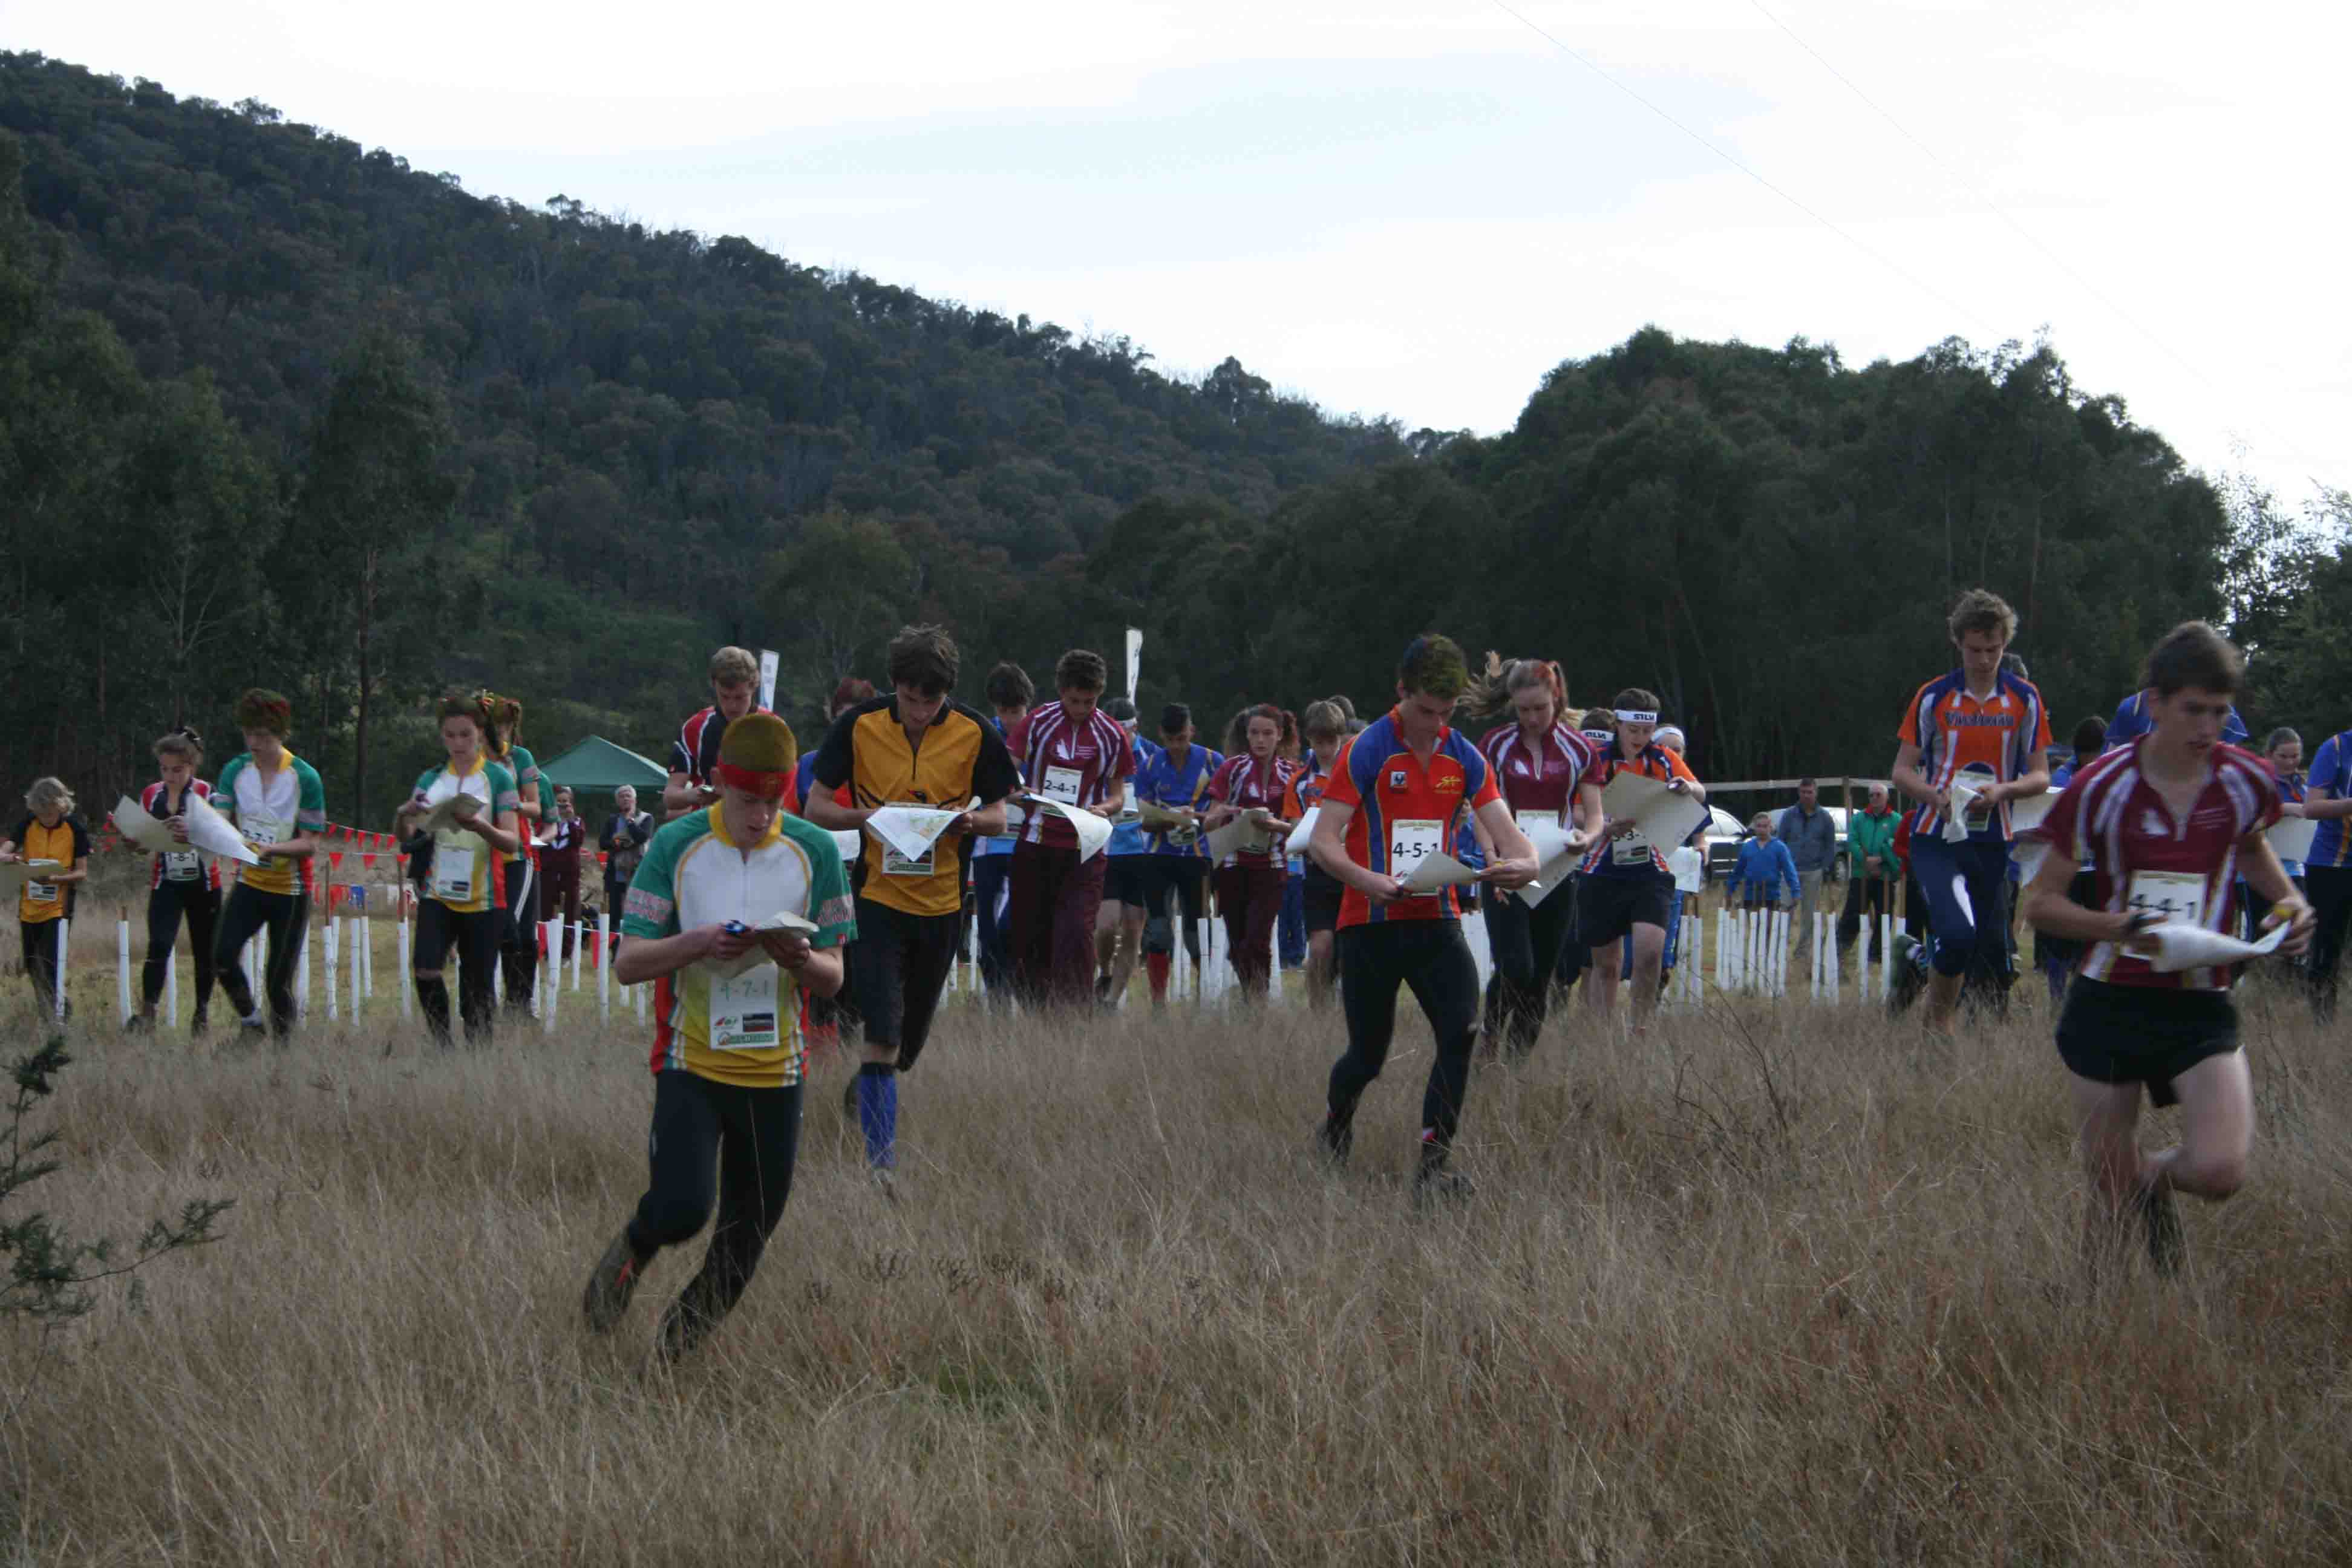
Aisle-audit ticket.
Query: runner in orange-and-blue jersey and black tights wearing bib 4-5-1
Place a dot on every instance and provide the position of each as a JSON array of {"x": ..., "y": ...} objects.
[{"x": 1398, "y": 793}]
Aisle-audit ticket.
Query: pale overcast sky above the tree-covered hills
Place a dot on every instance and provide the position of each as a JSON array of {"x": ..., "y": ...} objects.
[{"x": 1412, "y": 208}]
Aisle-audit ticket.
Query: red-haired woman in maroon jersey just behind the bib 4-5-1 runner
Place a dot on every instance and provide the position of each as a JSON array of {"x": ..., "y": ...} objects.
[{"x": 1542, "y": 768}]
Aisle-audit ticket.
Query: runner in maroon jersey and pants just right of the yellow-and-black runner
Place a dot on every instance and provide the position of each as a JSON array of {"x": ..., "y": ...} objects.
[{"x": 1078, "y": 756}]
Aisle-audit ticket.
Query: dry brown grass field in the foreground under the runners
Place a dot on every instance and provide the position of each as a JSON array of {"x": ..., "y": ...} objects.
[{"x": 1768, "y": 1287}]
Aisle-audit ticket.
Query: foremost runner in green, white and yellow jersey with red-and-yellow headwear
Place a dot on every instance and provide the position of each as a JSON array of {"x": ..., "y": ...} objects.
[{"x": 728, "y": 1050}]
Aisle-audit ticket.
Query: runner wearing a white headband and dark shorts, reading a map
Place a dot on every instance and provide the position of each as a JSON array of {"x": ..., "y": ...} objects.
[{"x": 1626, "y": 887}]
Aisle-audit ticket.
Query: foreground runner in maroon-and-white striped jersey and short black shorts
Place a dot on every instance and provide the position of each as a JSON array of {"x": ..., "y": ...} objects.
[{"x": 2167, "y": 824}]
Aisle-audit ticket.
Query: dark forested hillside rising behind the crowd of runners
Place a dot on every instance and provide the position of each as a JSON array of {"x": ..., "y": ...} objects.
[{"x": 279, "y": 408}]
